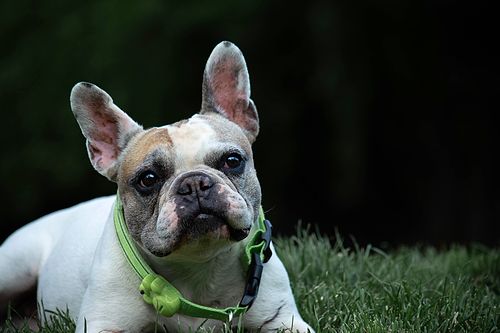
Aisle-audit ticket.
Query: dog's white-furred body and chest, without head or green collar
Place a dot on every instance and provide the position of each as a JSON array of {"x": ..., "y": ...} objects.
[{"x": 80, "y": 266}]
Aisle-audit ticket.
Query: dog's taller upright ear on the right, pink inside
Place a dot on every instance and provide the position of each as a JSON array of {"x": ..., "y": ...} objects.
[{"x": 226, "y": 89}]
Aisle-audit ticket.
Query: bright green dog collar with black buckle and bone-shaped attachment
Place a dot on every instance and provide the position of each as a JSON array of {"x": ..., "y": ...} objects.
[{"x": 167, "y": 300}]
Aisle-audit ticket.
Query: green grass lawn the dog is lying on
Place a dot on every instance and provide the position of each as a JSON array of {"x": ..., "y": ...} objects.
[{"x": 411, "y": 289}]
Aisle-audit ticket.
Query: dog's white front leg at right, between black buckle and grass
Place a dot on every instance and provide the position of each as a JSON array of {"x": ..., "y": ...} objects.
[{"x": 274, "y": 308}]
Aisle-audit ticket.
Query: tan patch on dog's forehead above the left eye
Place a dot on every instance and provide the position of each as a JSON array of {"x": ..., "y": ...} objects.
[{"x": 143, "y": 145}]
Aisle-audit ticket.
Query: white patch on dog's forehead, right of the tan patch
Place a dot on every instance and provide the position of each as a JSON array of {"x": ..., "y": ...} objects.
[{"x": 191, "y": 141}]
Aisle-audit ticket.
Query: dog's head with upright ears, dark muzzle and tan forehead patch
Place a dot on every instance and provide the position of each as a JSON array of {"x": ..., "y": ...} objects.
[{"x": 189, "y": 186}]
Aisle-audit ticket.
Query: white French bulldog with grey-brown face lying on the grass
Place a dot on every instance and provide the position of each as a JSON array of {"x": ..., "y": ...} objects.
[{"x": 190, "y": 199}]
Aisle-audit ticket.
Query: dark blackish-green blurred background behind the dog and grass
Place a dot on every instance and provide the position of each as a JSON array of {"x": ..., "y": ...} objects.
[{"x": 378, "y": 118}]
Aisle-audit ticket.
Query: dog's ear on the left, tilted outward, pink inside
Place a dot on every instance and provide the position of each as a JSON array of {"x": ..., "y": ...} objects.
[{"x": 106, "y": 128}]
